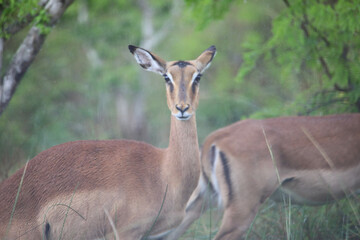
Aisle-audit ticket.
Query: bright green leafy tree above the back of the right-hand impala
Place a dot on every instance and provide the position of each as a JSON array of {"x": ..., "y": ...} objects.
[{"x": 313, "y": 44}]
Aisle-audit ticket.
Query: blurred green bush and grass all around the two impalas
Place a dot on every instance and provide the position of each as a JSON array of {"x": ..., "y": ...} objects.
[{"x": 275, "y": 58}]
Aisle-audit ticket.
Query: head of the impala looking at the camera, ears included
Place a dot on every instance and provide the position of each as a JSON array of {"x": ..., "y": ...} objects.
[{"x": 182, "y": 78}]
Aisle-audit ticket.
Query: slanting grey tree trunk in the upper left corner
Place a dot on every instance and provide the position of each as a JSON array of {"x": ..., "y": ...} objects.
[{"x": 28, "y": 50}]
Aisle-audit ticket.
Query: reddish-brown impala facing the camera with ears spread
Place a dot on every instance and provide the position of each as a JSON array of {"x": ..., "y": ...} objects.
[{"x": 89, "y": 189}]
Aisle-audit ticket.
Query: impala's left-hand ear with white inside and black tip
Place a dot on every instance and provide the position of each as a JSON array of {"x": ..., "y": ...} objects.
[{"x": 148, "y": 60}]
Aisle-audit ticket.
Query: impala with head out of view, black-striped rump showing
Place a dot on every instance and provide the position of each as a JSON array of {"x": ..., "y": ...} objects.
[{"x": 311, "y": 160}]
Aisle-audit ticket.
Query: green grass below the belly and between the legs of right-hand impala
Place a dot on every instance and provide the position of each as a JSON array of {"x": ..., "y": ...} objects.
[{"x": 336, "y": 221}]
